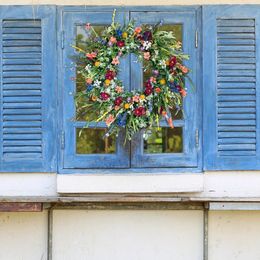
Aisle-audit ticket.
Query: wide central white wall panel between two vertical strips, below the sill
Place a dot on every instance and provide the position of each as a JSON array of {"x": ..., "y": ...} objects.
[{"x": 127, "y": 235}]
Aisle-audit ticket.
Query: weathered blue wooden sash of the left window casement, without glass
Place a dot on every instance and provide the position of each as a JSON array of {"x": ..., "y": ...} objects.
[{"x": 70, "y": 159}]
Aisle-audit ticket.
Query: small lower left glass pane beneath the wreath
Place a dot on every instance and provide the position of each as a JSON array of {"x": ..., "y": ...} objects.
[{"x": 92, "y": 141}]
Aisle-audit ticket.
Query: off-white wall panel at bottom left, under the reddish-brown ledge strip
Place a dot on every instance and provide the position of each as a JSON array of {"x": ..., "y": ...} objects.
[{"x": 23, "y": 236}]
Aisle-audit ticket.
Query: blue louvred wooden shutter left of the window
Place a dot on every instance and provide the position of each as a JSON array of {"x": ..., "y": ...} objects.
[{"x": 27, "y": 51}]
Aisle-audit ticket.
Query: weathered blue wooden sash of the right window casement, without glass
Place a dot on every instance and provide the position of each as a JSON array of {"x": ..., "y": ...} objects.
[{"x": 189, "y": 157}]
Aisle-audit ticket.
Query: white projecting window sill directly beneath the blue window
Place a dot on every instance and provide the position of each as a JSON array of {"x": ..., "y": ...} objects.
[{"x": 129, "y": 183}]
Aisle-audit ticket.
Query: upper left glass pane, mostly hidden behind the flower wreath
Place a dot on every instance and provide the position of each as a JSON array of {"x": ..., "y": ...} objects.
[{"x": 83, "y": 111}]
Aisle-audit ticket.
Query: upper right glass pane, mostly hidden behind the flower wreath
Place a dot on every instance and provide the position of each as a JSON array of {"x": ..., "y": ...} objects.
[{"x": 177, "y": 30}]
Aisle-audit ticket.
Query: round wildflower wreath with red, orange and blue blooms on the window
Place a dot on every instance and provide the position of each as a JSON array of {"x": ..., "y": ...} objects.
[{"x": 106, "y": 97}]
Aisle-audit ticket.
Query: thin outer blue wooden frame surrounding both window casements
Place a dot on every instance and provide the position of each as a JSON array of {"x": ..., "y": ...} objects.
[{"x": 180, "y": 9}]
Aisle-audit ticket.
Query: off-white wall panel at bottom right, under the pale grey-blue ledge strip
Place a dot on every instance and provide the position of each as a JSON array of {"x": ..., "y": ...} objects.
[{"x": 234, "y": 235}]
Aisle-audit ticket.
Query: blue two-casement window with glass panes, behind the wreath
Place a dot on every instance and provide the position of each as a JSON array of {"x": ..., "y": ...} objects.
[{"x": 85, "y": 147}]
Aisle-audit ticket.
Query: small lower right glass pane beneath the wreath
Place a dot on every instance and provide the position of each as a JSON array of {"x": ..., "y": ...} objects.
[{"x": 164, "y": 140}]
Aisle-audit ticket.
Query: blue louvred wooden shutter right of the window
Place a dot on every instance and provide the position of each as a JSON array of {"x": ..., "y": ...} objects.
[{"x": 231, "y": 85}]
